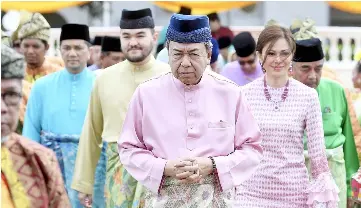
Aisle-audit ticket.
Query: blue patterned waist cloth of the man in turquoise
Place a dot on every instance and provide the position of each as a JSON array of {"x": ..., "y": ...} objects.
[{"x": 66, "y": 148}]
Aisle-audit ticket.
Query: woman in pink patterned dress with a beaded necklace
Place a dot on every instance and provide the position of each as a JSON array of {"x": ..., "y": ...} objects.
[{"x": 285, "y": 110}]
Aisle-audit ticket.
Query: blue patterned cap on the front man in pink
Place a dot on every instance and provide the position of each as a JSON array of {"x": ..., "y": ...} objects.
[{"x": 189, "y": 29}]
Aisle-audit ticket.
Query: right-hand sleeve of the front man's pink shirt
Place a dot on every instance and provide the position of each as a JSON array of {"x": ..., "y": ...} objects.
[{"x": 239, "y": 166}]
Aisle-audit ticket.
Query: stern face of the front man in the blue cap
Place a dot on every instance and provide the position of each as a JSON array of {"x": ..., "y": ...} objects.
[{"x": 188, "y": 61}]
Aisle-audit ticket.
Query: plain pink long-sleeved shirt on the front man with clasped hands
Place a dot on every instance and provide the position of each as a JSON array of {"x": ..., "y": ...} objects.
[{"x": 168, "y": 120}]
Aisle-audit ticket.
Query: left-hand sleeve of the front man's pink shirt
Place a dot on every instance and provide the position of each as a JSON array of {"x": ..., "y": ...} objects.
[{"x": 137, "y": 160}]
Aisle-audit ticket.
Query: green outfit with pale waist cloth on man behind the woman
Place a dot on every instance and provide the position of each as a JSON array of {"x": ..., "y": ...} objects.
[{"x": 339, "y": 139}]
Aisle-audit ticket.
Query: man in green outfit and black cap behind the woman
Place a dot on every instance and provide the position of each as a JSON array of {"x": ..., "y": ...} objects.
[{"x": 339, "y": 139}]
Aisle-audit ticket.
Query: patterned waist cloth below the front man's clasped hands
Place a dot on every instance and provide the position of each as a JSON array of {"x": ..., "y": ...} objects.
[{"x": 198, "y": 195}]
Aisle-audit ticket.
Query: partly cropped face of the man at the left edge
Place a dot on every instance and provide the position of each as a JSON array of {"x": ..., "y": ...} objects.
[{"x": 10, "y": 102}]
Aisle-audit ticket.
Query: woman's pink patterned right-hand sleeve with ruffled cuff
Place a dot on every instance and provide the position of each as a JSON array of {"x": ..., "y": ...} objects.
[{"x": 323, "y": 191}]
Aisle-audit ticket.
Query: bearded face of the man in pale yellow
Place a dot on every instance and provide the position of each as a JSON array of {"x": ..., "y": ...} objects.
[{"x": 137, "y": 44}]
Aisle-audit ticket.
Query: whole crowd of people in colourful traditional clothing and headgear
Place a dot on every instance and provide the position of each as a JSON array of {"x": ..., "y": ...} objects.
[{"x": 111, "y": 124}]
